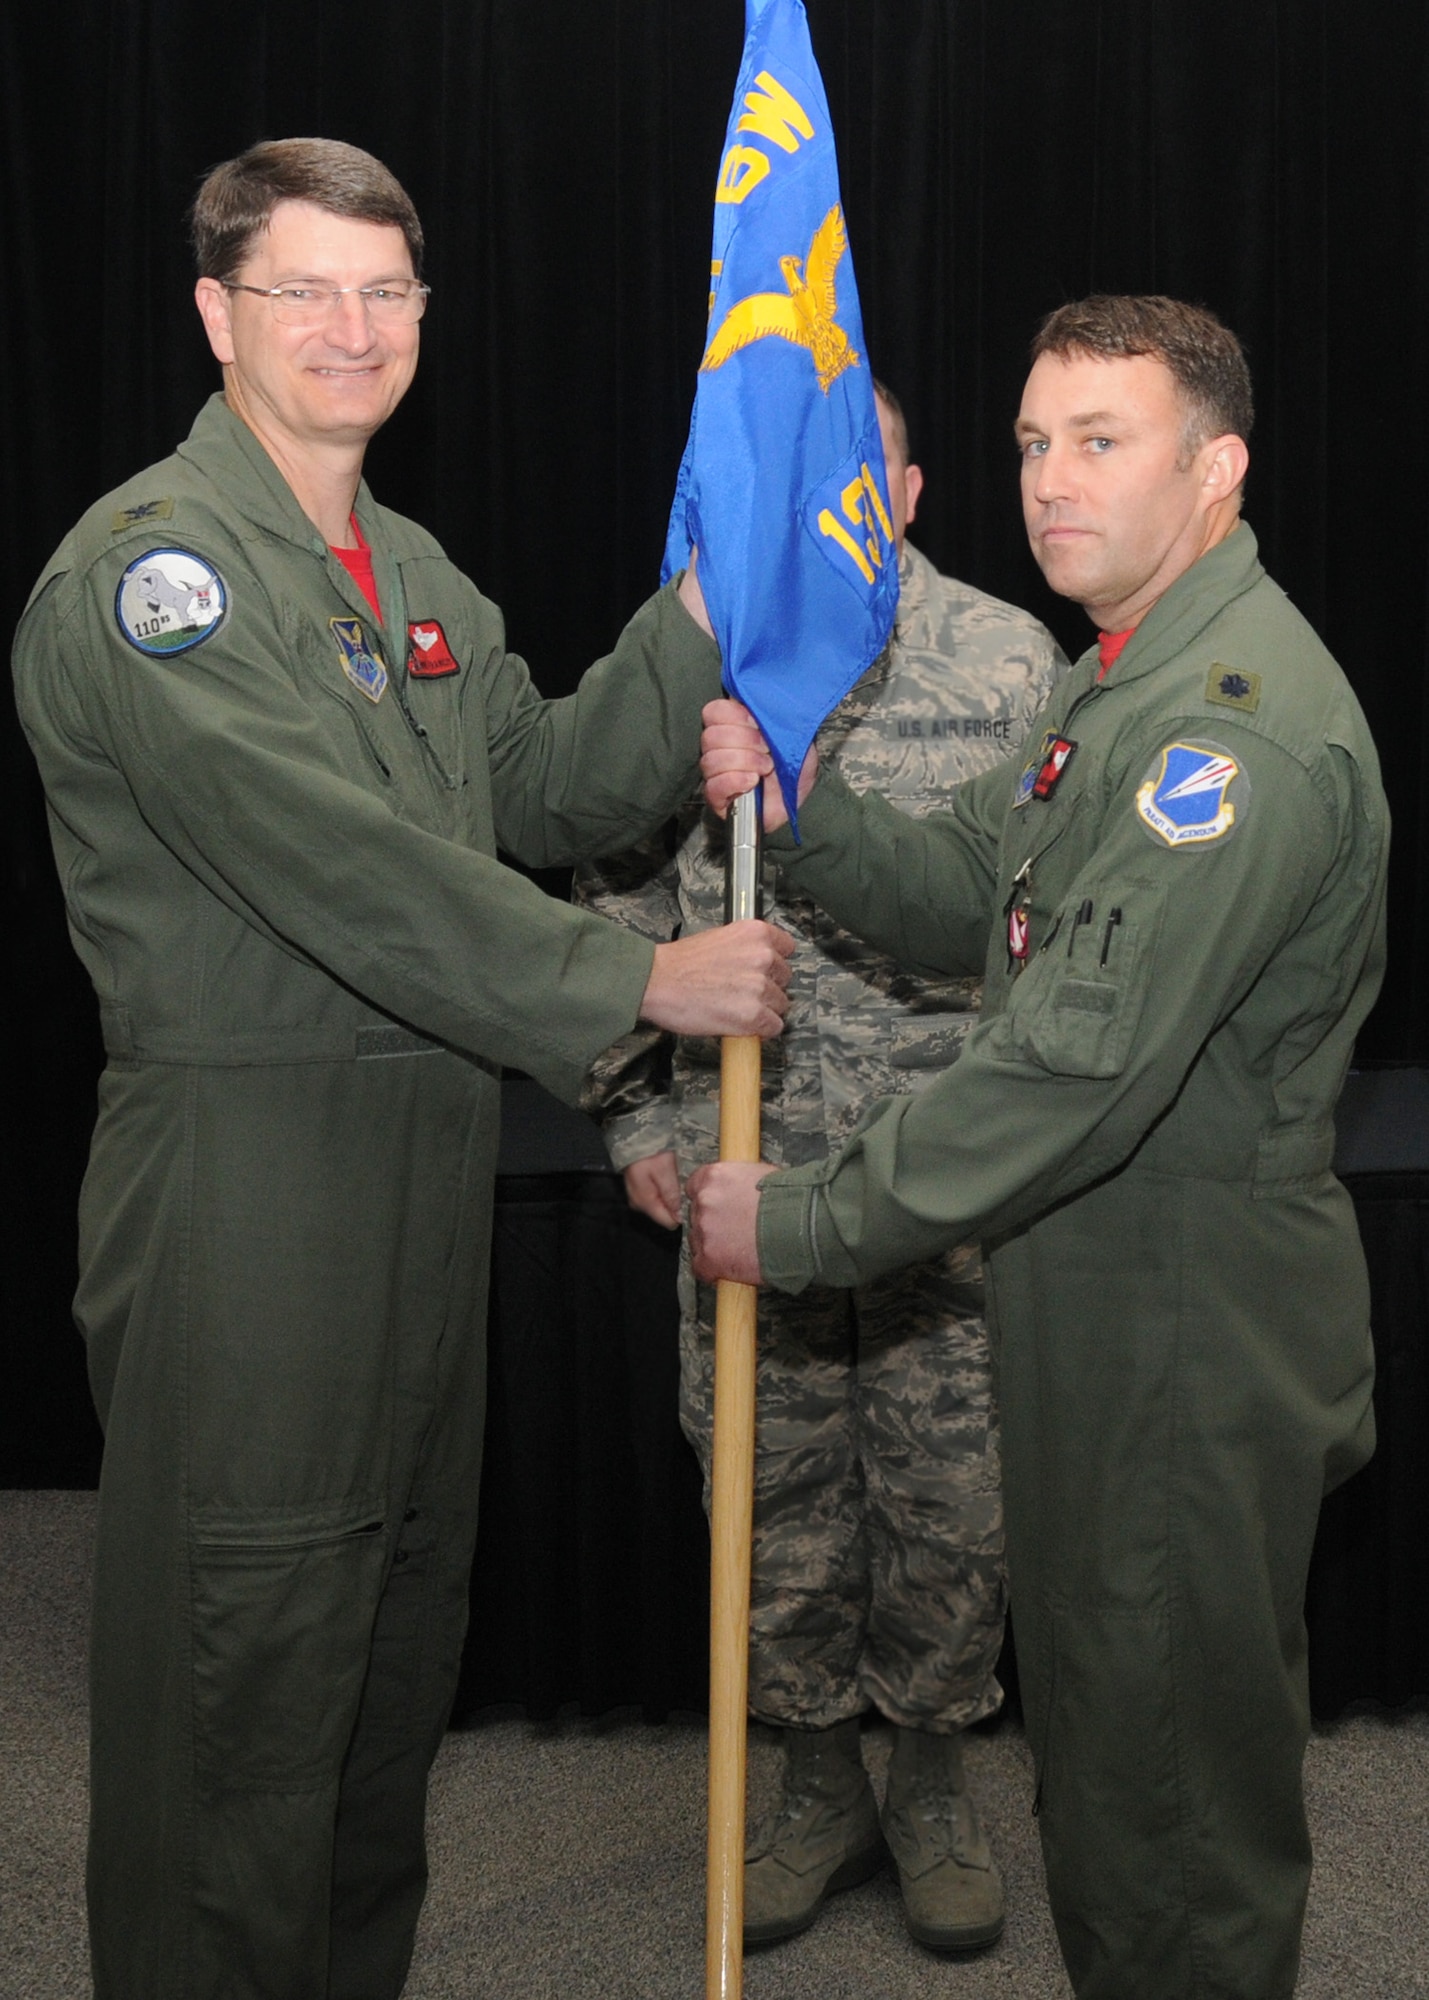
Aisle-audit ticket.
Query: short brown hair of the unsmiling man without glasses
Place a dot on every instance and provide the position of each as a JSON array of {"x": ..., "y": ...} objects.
[{"x": 1204, "y": 357}]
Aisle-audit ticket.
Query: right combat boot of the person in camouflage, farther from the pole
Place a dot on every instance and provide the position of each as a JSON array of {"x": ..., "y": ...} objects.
[{"x": 950, "y": 1881}]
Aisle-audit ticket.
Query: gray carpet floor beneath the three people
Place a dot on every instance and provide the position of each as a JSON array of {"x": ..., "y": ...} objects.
[{"x": 569, "y": 1863}]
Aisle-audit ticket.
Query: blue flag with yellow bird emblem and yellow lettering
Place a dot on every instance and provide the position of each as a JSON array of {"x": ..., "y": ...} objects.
[{"x": 784, "y": 487}]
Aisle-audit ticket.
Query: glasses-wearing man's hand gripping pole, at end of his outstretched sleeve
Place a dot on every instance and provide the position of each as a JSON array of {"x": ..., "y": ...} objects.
[{"x": 728, "y": 981}]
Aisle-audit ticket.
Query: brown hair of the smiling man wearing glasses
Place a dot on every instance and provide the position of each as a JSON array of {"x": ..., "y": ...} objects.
[{"x": 239, "y": 197}]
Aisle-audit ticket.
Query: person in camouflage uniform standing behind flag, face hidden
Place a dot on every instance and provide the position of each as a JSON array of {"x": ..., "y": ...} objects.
[{"x": 878, "y": 1565}]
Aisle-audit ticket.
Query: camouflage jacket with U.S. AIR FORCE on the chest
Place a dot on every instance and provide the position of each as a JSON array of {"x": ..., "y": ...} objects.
[{"x": 952, "y": 695}]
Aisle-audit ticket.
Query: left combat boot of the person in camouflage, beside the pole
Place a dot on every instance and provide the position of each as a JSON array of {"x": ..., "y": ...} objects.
[{"x": 822, "y": 1837}]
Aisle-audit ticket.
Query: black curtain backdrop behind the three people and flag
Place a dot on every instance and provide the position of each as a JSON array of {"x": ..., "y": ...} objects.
[{"x": 1268, "y": 157}]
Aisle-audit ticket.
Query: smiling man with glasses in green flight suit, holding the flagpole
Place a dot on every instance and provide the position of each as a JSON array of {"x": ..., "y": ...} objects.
[{"x": 281, "y": 741}]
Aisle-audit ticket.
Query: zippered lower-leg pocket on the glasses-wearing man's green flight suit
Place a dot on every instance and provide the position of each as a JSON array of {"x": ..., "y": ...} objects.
[{"x": 283, "y": 1629}]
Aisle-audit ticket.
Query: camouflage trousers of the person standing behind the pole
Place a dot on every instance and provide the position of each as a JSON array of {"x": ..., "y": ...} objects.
[{"x": 878, "y": 1563}]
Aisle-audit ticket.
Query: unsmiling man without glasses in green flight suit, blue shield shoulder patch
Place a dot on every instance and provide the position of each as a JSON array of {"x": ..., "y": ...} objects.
[{"x": 1186, "y": 903}]
